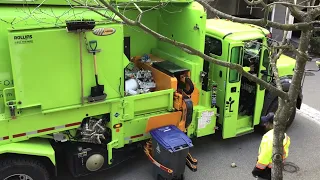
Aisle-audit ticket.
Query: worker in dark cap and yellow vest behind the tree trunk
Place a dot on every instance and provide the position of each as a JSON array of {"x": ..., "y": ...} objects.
[{"x": 262, "y": 168}]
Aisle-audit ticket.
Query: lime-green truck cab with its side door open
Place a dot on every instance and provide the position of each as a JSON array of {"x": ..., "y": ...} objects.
[{"x": 241, "y": 102}]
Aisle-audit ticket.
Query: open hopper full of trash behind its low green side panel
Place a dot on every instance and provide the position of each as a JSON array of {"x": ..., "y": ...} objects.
[{"x": 147, "y": 89}]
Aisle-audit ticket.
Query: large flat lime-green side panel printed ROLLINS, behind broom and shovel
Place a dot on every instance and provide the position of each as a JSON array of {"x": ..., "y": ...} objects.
[{"x": 41, "y": 75}]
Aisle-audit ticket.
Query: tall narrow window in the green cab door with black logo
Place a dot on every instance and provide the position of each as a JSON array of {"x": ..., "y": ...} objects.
[{"x": 236, "y": 56}]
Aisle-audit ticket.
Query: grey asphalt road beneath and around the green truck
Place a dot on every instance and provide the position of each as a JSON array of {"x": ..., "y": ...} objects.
[{"x": 216, "y": 155}]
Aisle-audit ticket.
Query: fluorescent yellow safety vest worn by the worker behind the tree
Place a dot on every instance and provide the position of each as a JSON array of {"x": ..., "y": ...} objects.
[{"x": 265, "y": 150}]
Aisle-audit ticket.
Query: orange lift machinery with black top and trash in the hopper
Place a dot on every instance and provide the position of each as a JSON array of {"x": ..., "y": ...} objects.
[{"x": 163, "y": 74}]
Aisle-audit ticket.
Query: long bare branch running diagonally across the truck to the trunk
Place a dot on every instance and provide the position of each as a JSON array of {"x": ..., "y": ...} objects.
[{"x": 192, "y": 51}]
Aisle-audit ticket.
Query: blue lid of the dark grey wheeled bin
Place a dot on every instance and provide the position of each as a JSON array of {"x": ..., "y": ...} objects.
[{"x": 171, "y": 138}]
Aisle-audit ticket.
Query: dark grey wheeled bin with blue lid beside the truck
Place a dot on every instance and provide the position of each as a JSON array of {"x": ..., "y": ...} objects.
[{"x": 170, "y": 147}]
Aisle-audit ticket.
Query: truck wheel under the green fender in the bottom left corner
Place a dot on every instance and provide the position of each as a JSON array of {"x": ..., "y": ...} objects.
[{"x": 22, "y": 169}]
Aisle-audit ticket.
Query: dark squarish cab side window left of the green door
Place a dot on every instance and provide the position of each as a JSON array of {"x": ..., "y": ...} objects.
[{"x": 213, "y": 46}]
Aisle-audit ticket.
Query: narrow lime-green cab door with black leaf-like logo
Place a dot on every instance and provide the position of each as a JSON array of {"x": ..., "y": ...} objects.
[{"x": 232, "y": 92}]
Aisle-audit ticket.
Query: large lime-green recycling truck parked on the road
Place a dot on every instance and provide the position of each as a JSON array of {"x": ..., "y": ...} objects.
[{"x": 83, "y": 90}]
